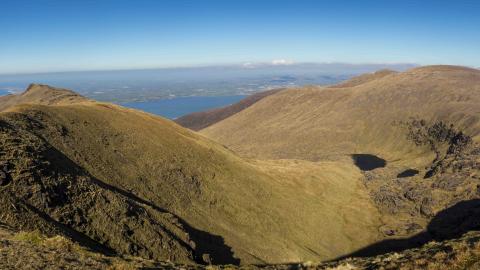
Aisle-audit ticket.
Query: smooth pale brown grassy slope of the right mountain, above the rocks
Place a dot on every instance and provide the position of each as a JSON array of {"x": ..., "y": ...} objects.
[{"x": 314, "y": 123}]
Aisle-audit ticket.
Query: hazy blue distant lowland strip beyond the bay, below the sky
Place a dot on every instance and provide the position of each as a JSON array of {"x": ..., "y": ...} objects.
[{"x": 154, "y": 84}]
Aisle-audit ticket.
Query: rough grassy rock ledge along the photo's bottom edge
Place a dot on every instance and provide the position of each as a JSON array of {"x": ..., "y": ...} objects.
[{"x": 34, "y": 251}]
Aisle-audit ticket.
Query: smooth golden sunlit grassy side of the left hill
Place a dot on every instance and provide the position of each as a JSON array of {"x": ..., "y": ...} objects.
[{"x": 262, "y": 211}]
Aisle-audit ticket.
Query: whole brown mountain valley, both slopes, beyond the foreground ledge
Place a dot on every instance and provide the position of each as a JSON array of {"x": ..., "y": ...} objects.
[{"x": 384, "y": 162}]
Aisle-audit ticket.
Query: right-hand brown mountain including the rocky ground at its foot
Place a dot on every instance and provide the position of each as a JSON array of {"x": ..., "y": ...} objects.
[{"x": 424, "y": 123}]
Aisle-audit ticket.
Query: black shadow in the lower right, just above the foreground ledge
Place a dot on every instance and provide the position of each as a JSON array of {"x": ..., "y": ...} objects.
[{"x": 448, "y": 224}]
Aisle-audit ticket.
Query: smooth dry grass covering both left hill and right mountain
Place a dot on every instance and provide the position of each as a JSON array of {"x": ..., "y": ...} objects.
[{"x": 268, "y": 210}]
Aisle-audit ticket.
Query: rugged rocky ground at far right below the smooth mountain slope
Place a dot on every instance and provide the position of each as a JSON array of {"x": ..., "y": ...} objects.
[{"x": 453, "y": 176}]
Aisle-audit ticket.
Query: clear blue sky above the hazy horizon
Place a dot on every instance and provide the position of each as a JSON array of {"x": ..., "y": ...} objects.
[{"x": 60, "y": 35}]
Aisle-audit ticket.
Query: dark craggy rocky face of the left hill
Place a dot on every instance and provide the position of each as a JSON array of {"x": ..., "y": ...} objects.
[{"x": 44, "y": 190}]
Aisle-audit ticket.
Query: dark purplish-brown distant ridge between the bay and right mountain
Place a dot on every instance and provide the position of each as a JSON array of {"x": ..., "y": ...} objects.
[{"x": 201, "y": 120}]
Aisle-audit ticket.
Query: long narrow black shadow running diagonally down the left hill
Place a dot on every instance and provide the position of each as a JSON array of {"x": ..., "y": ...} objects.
[{"x": 205, "y": 243}]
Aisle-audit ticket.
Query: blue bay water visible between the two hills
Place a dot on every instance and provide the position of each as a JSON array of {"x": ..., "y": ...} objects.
[{"x": 175, "y": 107}]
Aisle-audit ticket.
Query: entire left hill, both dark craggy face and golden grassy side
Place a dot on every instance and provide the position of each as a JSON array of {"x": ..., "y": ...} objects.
[{"x": 125, "y": 177}]
